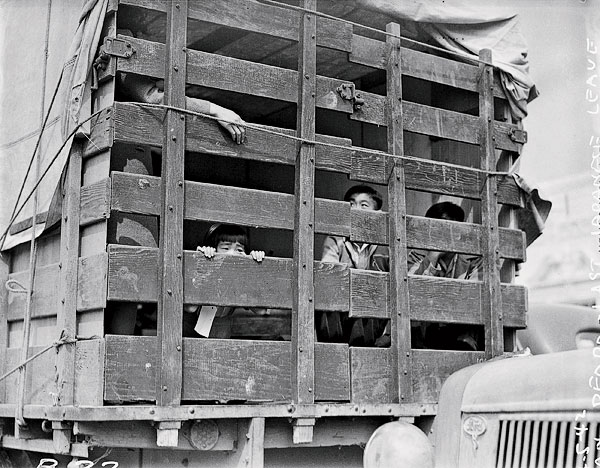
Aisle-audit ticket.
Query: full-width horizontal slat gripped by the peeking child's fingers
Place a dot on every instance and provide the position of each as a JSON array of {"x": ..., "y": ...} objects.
[{"x": 132, "y": 277}]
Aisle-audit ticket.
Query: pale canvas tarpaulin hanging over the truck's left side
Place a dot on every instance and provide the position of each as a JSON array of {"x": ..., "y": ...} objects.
[{"x": 30, "y": 78}]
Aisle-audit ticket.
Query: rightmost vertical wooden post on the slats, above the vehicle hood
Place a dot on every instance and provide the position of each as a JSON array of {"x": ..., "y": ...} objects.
[{"x": 491, "y": 300}]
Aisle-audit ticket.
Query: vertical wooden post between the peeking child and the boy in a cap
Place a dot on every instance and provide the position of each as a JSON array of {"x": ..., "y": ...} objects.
[{"x": 303, "y": 310}]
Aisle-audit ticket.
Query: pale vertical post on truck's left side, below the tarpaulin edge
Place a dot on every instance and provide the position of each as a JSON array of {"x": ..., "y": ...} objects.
[{"x": 67, "y": 313}]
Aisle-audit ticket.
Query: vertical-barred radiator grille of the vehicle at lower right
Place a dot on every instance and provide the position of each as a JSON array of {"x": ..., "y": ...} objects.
[{"x": 548, "y": 444}]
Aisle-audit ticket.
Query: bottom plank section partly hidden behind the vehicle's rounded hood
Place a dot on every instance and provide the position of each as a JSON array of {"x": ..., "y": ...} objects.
[{"x": 432, "y": 368}]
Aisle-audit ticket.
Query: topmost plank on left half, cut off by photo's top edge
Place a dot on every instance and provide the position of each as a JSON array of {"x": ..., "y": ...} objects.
[{"x": 254, "y": 16}]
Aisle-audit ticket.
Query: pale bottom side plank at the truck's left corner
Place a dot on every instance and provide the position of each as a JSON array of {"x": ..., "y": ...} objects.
[{"x": 89, "y": 373}]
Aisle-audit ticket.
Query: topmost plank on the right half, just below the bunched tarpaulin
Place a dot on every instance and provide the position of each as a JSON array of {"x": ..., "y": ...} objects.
[{"x": 421, "y": 65}]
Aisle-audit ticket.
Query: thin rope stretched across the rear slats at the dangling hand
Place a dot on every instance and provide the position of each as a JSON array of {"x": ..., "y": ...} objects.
[{"x": 260, "y": 128}]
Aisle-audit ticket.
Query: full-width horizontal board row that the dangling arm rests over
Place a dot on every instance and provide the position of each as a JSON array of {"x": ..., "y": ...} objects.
[{"x": 206, "y": 137}]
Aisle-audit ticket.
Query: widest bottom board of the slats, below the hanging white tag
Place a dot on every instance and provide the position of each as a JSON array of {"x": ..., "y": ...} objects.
[{"x": 222, "y": 370}]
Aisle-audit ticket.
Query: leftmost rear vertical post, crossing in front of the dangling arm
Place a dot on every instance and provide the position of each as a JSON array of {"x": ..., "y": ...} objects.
[{"x": 170, "y": 300}]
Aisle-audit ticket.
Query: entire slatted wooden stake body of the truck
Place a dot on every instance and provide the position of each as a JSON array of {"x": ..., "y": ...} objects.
[{"x": 167, "y": 368}]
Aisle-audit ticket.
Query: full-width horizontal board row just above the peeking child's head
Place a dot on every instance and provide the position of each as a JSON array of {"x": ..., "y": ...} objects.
[{"x": 141, "y": 194}]
